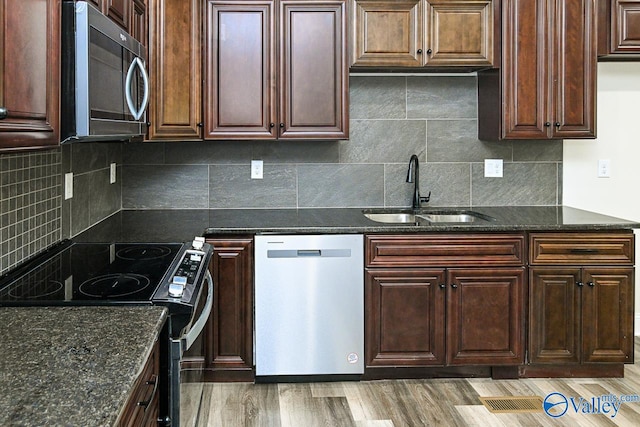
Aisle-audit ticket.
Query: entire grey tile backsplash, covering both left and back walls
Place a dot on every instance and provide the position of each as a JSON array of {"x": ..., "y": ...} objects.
[{"x": 392, "y": 117}]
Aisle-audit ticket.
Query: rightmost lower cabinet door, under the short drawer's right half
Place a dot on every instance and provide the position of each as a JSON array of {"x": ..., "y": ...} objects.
[{"x": 607, "y": 315}]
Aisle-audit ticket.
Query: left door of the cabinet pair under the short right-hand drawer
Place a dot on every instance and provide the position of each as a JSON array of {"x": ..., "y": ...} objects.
[{"x": 554, "y": 315}]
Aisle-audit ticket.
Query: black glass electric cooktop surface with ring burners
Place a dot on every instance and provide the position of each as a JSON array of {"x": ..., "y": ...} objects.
[{"x": 91, "y": 273}]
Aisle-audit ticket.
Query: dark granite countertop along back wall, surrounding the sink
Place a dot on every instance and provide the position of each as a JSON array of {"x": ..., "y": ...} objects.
[{"x": 182, "y": 225}]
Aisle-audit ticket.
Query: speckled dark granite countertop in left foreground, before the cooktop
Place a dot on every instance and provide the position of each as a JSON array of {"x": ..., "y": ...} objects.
[{"x": 72, "y": 365}]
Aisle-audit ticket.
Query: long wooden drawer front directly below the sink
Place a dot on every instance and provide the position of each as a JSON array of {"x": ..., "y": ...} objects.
[{"x": 444, "y": 250}]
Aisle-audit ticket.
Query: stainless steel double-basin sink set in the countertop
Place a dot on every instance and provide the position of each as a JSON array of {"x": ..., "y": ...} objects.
[{"x": 444, "y": 216}]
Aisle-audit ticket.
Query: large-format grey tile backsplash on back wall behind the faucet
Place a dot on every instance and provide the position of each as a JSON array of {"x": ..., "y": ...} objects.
[{"x": 391, "y": 118}]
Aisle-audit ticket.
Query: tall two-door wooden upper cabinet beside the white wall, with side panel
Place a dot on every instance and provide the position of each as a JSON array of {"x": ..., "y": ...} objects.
[{"x": 546, "y": 88}]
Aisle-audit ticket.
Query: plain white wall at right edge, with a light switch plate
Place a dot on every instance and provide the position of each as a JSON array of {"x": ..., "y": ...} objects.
[{"x": 618, "y": 130}]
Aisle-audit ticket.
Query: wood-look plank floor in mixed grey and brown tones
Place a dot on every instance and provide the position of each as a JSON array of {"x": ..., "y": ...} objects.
[{"x": 429, "y": 402}]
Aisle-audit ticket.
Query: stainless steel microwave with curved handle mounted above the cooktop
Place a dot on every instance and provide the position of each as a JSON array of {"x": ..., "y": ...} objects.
[{"x": 105, "y": 86}]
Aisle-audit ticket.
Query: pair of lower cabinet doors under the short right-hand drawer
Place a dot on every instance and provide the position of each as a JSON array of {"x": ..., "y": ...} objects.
[{"x": 581, "y": 315}]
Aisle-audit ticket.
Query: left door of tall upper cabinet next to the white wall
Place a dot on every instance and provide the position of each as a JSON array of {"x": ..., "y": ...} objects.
[{"x": 525, "y": 81}]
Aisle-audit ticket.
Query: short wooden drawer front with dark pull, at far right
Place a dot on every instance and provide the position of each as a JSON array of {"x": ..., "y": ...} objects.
[{"x": 581, "y": 248}]
